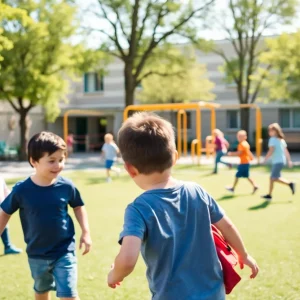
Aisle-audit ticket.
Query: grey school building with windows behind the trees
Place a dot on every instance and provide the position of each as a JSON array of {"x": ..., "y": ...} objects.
[{"x": 105, "y": 95}]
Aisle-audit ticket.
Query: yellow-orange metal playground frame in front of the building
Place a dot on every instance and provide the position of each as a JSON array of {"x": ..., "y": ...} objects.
[{"x": 182, "y": 143}]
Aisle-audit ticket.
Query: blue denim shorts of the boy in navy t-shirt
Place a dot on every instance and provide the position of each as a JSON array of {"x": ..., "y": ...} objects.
[{"x": 58, "y": 275}]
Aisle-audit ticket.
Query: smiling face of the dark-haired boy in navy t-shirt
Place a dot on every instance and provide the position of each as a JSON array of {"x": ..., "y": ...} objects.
[{"x": 49, "y": 166}]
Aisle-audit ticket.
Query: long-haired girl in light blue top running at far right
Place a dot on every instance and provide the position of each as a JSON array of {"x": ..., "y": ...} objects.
[{"x": 279, "y": 154}]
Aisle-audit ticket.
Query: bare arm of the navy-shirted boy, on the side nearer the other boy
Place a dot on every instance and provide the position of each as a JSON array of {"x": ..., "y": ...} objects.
[{"x": 82, "y": 218}]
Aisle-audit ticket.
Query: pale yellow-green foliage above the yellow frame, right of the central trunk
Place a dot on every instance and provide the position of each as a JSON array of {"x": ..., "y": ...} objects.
[{"x": 188, "y": 80}]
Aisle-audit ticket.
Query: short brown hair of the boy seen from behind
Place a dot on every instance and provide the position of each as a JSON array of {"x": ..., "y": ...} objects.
[{"x": 147, "y": 142}]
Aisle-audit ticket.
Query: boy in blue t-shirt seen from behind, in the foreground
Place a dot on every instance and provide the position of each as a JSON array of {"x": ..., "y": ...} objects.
[{"x": 170, "y": 223}]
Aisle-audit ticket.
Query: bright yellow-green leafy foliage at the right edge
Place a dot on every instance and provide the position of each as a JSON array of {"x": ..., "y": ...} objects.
[{"x": 282, "y": 80}]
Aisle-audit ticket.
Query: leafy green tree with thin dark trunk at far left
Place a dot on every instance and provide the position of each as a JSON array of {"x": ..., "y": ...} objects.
[{"x": 36, "y": 70}]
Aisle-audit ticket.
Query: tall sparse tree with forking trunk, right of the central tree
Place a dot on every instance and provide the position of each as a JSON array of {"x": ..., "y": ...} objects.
[{"x": 245, "y": 26}]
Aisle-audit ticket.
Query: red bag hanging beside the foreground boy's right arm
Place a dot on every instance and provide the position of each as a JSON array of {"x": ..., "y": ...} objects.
[{"x": 228, "y": 259}]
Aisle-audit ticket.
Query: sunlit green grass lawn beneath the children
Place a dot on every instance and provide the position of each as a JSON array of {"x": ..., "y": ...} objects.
[{"x": 271, "y": 233}]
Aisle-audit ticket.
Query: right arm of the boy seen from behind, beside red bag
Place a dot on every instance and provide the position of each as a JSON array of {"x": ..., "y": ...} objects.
[{"x": 234, "y": 239}]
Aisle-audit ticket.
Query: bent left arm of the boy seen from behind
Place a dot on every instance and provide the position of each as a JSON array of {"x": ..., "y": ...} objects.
[{"x": 125, "y": 260}]
